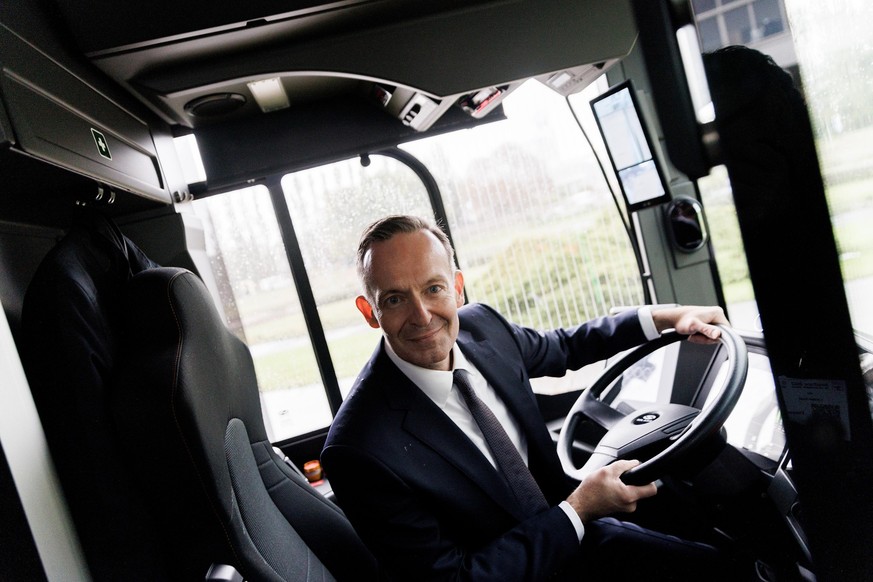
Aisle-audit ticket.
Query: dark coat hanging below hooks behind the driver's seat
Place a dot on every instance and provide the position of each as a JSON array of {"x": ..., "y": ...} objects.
[{"x": 68, "y": 344}]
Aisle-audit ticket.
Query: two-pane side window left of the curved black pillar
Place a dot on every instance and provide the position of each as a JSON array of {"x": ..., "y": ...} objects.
[{"x": 329, "y": 207}]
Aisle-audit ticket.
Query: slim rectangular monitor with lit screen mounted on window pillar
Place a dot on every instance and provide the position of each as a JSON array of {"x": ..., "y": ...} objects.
[{"x": 629, "y": 147}]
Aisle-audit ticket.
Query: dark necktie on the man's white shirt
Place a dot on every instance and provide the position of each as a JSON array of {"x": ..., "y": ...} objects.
[{"x": 520, "y": 480}]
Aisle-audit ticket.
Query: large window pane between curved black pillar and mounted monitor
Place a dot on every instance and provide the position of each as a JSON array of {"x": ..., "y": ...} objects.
[{"x": 533, "y": 221}]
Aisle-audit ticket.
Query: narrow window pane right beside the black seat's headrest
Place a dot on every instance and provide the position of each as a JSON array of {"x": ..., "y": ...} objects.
[{"x": 261, "y": 306}]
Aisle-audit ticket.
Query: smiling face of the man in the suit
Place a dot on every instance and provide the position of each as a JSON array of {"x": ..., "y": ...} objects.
[{"x": 415, "y": 297}]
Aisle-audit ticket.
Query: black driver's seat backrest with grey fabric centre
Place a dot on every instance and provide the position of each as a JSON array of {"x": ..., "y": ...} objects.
[{"x": 186, "y": 398}]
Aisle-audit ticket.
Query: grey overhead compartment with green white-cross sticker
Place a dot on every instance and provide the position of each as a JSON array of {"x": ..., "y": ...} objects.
[{"x": 55, "y": 116}]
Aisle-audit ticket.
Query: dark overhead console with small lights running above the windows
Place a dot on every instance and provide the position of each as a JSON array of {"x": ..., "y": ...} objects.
[{"x": 444, "y": 52}]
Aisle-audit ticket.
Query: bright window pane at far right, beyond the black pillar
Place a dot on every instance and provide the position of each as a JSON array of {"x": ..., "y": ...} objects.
[{"x": 835, "y": 57}]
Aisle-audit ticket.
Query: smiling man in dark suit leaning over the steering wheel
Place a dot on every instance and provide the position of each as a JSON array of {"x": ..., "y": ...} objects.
[{"x": 416, "y": 474}]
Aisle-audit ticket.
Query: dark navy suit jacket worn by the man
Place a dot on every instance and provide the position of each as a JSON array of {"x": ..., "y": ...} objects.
[{"x": 422, "y": 496}]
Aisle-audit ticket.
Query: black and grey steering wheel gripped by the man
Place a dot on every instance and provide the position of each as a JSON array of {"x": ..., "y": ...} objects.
[{"x": 681, "y": 429}]
